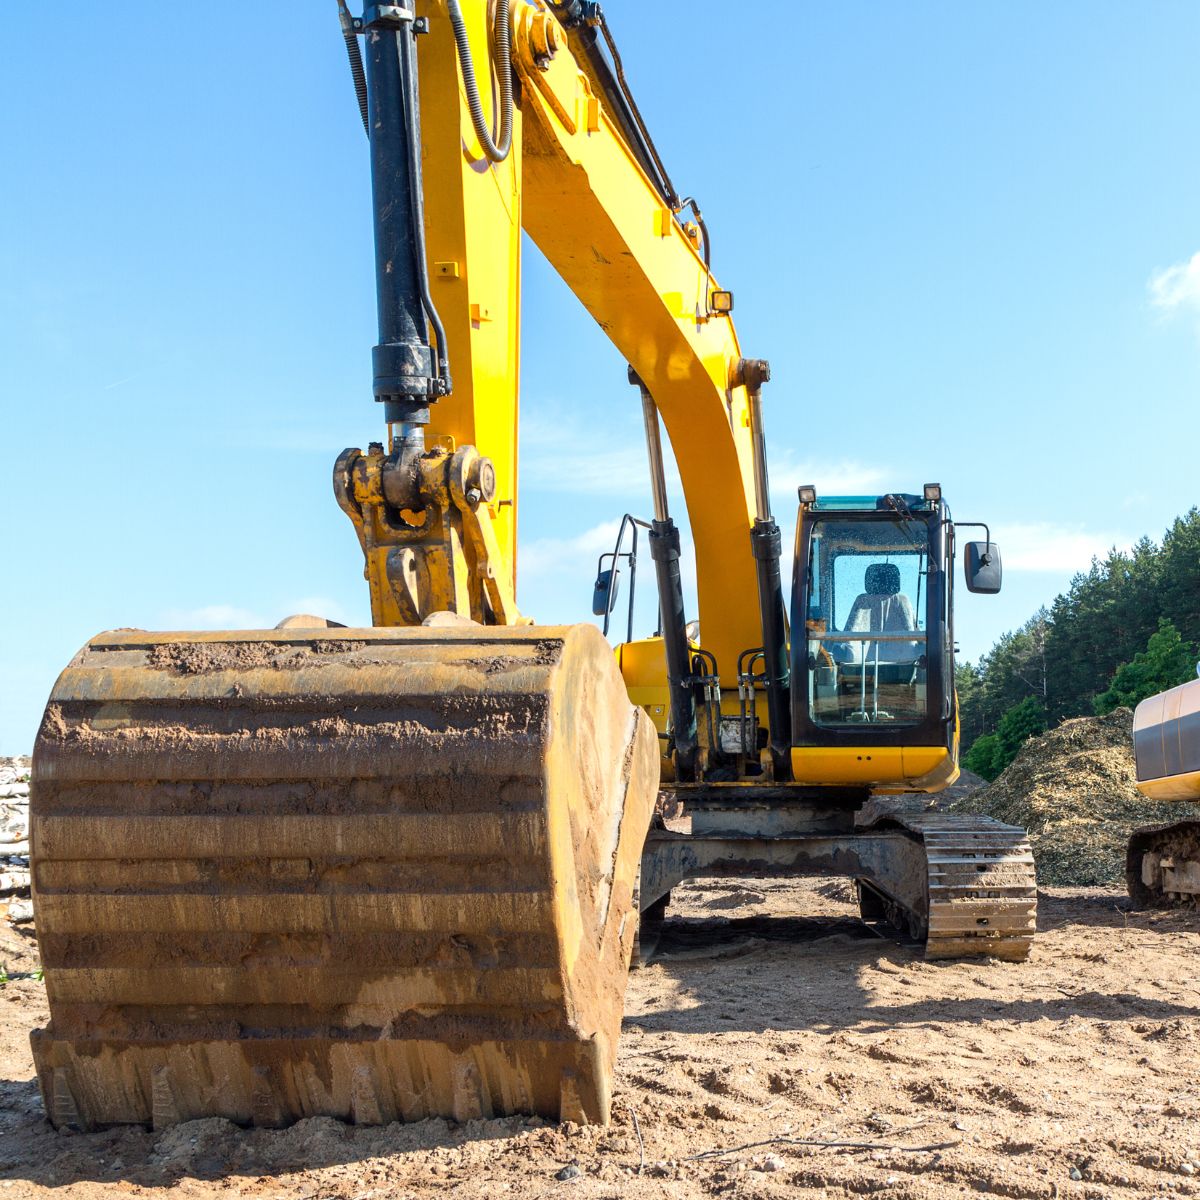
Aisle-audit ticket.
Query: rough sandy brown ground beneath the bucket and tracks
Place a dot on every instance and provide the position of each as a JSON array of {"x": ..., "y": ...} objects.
[{"x": 773, "y": 1018}]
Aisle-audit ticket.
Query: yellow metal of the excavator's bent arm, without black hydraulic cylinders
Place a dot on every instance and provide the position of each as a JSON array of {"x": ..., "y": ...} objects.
[{"x": 578, "y": 188}]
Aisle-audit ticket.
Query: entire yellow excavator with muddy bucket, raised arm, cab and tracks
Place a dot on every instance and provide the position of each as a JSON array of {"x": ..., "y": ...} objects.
[{"x": 393, "y": 873}]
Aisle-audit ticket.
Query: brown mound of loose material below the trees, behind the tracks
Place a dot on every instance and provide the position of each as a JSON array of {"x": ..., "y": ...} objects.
[{"x": 1073, "y": 789}]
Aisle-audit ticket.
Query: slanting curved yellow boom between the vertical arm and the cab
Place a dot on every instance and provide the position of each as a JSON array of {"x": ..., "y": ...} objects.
[{"x": 596, "y": 217}]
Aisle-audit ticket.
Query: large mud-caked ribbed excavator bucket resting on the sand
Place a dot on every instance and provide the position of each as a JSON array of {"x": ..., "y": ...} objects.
[{"x": 373, "y": 874}]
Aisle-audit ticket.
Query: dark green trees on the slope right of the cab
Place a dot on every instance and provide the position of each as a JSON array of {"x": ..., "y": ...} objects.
[{"x": 1125, "y": 629}]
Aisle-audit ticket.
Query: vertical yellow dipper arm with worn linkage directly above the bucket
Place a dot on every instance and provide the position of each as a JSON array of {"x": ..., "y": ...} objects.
[{"x": 442, "y": 554}]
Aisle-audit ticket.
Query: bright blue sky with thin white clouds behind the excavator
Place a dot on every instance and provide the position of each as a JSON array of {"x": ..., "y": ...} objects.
[{"x": 968, "y": 237}]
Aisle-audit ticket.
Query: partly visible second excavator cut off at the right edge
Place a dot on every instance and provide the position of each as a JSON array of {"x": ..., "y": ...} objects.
[{"x": 1163, "y": 862}]
